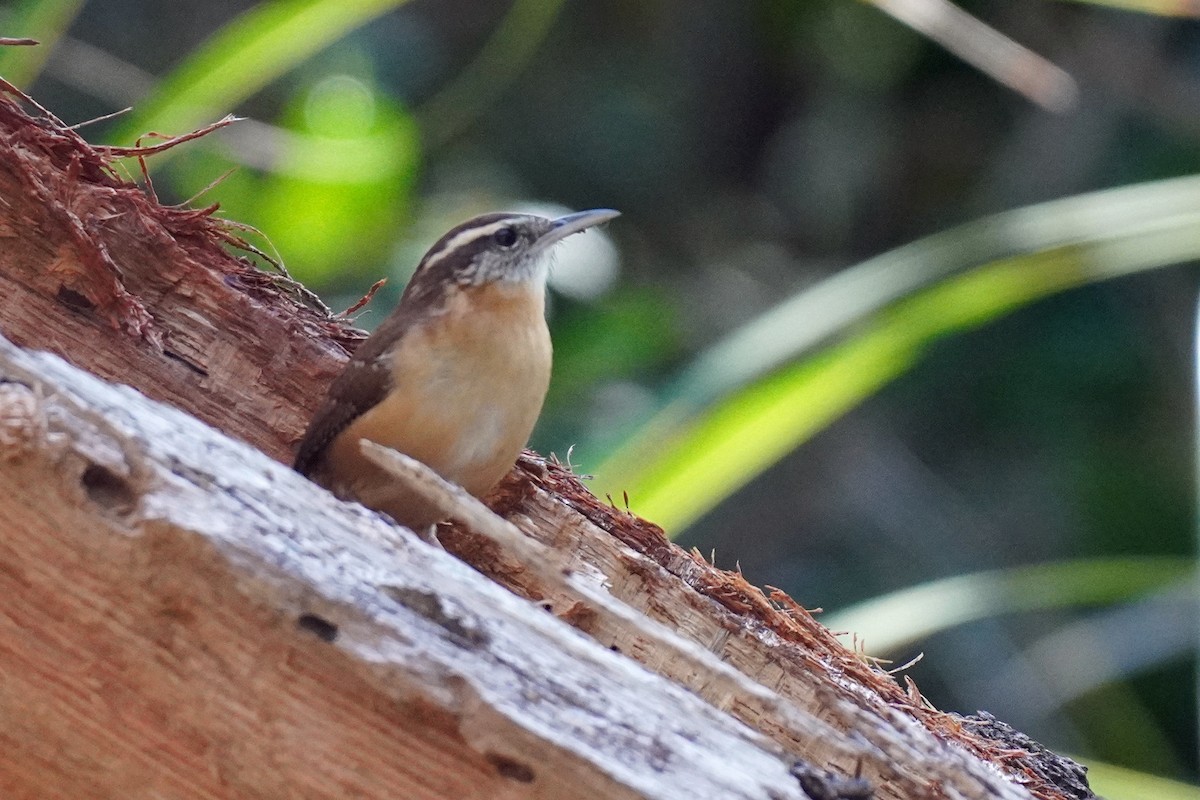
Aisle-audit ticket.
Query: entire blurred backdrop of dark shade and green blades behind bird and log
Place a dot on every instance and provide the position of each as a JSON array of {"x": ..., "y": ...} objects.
[{"x": 897, "y": 320}]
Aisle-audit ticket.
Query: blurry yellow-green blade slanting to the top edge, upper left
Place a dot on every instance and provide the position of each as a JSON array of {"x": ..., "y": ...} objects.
[{"x": 245, "y": 56}]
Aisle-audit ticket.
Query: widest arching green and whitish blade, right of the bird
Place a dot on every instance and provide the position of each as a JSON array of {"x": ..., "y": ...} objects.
[{"x": 749, "y": 401}]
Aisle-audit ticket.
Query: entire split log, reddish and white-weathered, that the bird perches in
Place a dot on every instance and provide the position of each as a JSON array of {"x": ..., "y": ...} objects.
[{"x": 189, "y": 612}]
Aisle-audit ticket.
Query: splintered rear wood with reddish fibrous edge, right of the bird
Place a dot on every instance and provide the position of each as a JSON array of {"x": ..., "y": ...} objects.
[{"x": 814, "y": 707}]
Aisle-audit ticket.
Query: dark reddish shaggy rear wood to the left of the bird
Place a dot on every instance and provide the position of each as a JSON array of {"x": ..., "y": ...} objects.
[{"x": 94, "y": 270}]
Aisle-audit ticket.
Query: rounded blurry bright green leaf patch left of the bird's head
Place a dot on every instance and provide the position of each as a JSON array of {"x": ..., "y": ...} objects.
[{"x": 346, "y": 160}]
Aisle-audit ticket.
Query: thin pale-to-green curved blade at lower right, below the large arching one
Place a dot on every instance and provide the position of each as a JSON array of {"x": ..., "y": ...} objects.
[{"x": 901, "y": 619}]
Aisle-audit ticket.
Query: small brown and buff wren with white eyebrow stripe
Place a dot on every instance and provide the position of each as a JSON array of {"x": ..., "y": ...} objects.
[{"x": 455, "y": 377}]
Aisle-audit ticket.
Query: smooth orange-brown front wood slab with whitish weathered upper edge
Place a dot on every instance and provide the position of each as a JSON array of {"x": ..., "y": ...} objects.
[{"x": 185, "y": 617}]
